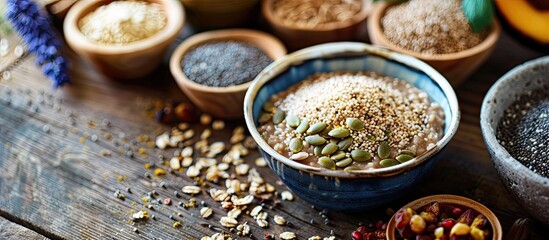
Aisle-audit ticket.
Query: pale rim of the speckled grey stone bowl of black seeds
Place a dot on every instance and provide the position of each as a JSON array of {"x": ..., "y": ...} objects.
[{"x": 489, "y": 133}]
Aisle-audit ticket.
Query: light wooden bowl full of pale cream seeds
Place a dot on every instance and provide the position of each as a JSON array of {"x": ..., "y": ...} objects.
[{"x": 123, "y": 39}]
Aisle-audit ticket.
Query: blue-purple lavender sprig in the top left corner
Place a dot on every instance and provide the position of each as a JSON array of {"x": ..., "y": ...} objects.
[{"x": 34, "y": 27}]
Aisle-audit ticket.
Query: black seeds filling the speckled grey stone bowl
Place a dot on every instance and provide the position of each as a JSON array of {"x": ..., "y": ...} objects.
[{"x": 523, "y": 131}]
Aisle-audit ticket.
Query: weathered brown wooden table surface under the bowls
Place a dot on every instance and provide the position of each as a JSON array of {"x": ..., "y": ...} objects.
[{"x": 56, "y": 182}]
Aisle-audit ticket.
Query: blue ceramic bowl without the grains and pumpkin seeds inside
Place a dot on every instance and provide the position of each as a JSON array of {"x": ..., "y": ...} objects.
[{"x": 336, "y": 189}]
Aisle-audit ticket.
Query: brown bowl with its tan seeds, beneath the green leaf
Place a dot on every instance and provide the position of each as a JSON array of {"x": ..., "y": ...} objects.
[{"x": 436, "y": 32}]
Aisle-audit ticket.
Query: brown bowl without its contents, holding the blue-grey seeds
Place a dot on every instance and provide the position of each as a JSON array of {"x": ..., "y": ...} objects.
[{"x": 224, "y": 102}]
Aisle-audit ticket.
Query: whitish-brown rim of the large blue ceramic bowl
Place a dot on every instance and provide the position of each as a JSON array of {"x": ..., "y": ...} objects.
[{"x": 340, "y": 49}]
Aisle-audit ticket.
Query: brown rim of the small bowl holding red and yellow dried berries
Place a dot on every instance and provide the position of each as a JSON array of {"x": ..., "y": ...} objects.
[{"x": 497, "y": 233}]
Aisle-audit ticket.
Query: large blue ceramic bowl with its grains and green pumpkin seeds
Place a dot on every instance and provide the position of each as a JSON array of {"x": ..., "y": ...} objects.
[{"x": 350, "y": 126}]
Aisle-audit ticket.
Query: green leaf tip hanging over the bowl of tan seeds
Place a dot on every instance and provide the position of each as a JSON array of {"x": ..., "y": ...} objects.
[{"x": 479, "y": 13}]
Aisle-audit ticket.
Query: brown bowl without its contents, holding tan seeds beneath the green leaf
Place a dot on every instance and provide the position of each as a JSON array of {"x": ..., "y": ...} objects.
[{"x": 456, "y": 67}]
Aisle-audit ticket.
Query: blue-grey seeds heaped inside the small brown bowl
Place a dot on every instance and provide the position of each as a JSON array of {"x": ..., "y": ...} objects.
[{"x": 223, "y": 64}]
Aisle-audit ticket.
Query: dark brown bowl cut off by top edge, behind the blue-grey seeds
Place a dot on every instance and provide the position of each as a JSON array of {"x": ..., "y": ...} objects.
[{"x": 210, "y": 14}]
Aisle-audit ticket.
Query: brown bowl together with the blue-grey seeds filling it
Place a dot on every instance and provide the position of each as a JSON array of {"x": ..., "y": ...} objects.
[{"x": 215, "y": 68}]
